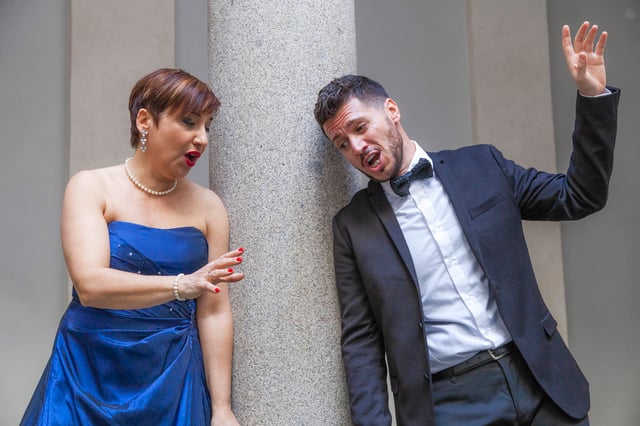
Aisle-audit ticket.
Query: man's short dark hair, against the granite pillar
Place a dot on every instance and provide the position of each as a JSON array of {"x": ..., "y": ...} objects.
[{"x": 332, "y": 96}]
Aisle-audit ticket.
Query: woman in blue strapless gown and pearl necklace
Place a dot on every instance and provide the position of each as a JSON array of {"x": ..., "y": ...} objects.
[{"x": 147, "y": 337}]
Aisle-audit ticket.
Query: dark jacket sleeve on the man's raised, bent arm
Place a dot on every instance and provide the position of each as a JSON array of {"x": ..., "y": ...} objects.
[{"x": 583, "y": 189}]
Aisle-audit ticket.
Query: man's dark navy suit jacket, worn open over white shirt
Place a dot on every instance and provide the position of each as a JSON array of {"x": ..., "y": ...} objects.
[{"x": 377, "y": 286}]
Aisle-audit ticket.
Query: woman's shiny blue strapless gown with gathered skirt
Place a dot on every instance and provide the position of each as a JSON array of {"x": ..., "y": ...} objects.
[{"x": 130, "y": 367}]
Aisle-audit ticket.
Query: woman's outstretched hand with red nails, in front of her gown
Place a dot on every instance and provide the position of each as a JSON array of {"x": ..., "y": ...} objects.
[{"x": 207, "y": 278}]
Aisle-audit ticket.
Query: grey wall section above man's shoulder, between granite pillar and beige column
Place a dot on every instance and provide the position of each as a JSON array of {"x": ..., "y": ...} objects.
[{"x": 418, "y": 52}]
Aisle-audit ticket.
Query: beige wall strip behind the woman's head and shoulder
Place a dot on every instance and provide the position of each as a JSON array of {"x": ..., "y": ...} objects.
[{"x": 113, "y": 44}]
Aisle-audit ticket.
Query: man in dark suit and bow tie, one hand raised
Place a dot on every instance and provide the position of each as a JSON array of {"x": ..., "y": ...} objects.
[{"x": 434, "y": 273}]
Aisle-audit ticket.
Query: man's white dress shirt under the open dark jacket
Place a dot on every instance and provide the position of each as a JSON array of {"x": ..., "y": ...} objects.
[{"x": 460, "y": 316}]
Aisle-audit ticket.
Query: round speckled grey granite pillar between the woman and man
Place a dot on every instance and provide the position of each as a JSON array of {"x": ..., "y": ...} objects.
[{"x": 281, "y": 183}]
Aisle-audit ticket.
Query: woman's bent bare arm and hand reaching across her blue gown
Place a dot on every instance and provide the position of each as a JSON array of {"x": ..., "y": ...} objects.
[{"x": 85, "y": 242}]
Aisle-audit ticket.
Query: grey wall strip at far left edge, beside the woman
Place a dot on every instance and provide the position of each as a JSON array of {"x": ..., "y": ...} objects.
[{"x": 34, "y": 99}]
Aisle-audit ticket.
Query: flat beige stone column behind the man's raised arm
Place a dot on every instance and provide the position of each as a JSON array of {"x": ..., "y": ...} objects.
[{"x": 511, "y": 107}]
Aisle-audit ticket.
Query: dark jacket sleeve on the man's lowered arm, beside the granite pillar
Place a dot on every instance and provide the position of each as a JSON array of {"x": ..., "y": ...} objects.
[{"x": 362, "y": 342}]
